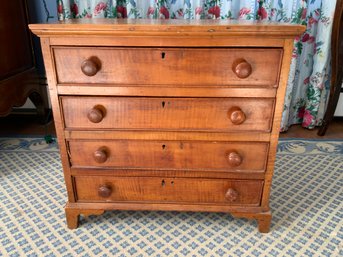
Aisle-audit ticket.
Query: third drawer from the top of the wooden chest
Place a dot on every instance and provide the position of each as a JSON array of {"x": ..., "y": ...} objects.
[{"x": 185, "y": 155}]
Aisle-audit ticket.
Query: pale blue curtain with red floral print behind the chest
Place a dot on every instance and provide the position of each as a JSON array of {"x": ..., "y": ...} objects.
[{"x": 309, "y": 78}]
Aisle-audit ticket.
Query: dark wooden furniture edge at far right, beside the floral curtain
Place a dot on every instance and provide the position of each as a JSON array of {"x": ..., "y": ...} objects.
[{"x": 336, "y": 67}]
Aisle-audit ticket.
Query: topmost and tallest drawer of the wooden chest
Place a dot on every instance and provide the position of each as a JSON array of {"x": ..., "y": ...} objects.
[{"x": 169, "y": 66}]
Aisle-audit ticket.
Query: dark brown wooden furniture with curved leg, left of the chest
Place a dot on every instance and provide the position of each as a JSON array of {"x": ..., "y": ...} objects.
[{"x": 18, "y": 74}]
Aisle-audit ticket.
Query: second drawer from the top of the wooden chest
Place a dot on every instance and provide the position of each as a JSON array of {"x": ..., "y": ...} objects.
[{"x": 181, "y": 114}]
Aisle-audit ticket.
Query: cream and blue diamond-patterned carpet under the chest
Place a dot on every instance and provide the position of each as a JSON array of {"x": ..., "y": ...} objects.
[{"x": 306, "y": 203}]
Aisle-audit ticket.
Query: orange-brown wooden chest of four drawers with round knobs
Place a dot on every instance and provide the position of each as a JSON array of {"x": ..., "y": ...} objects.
[{"x": 167, "y": 115}]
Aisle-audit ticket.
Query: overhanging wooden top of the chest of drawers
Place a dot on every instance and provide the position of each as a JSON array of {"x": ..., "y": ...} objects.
[{"x": 167, "y": 28}]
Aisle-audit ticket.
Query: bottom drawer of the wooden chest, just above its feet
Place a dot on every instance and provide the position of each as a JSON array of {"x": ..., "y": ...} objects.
[{"x": 152, "y": 189}]
